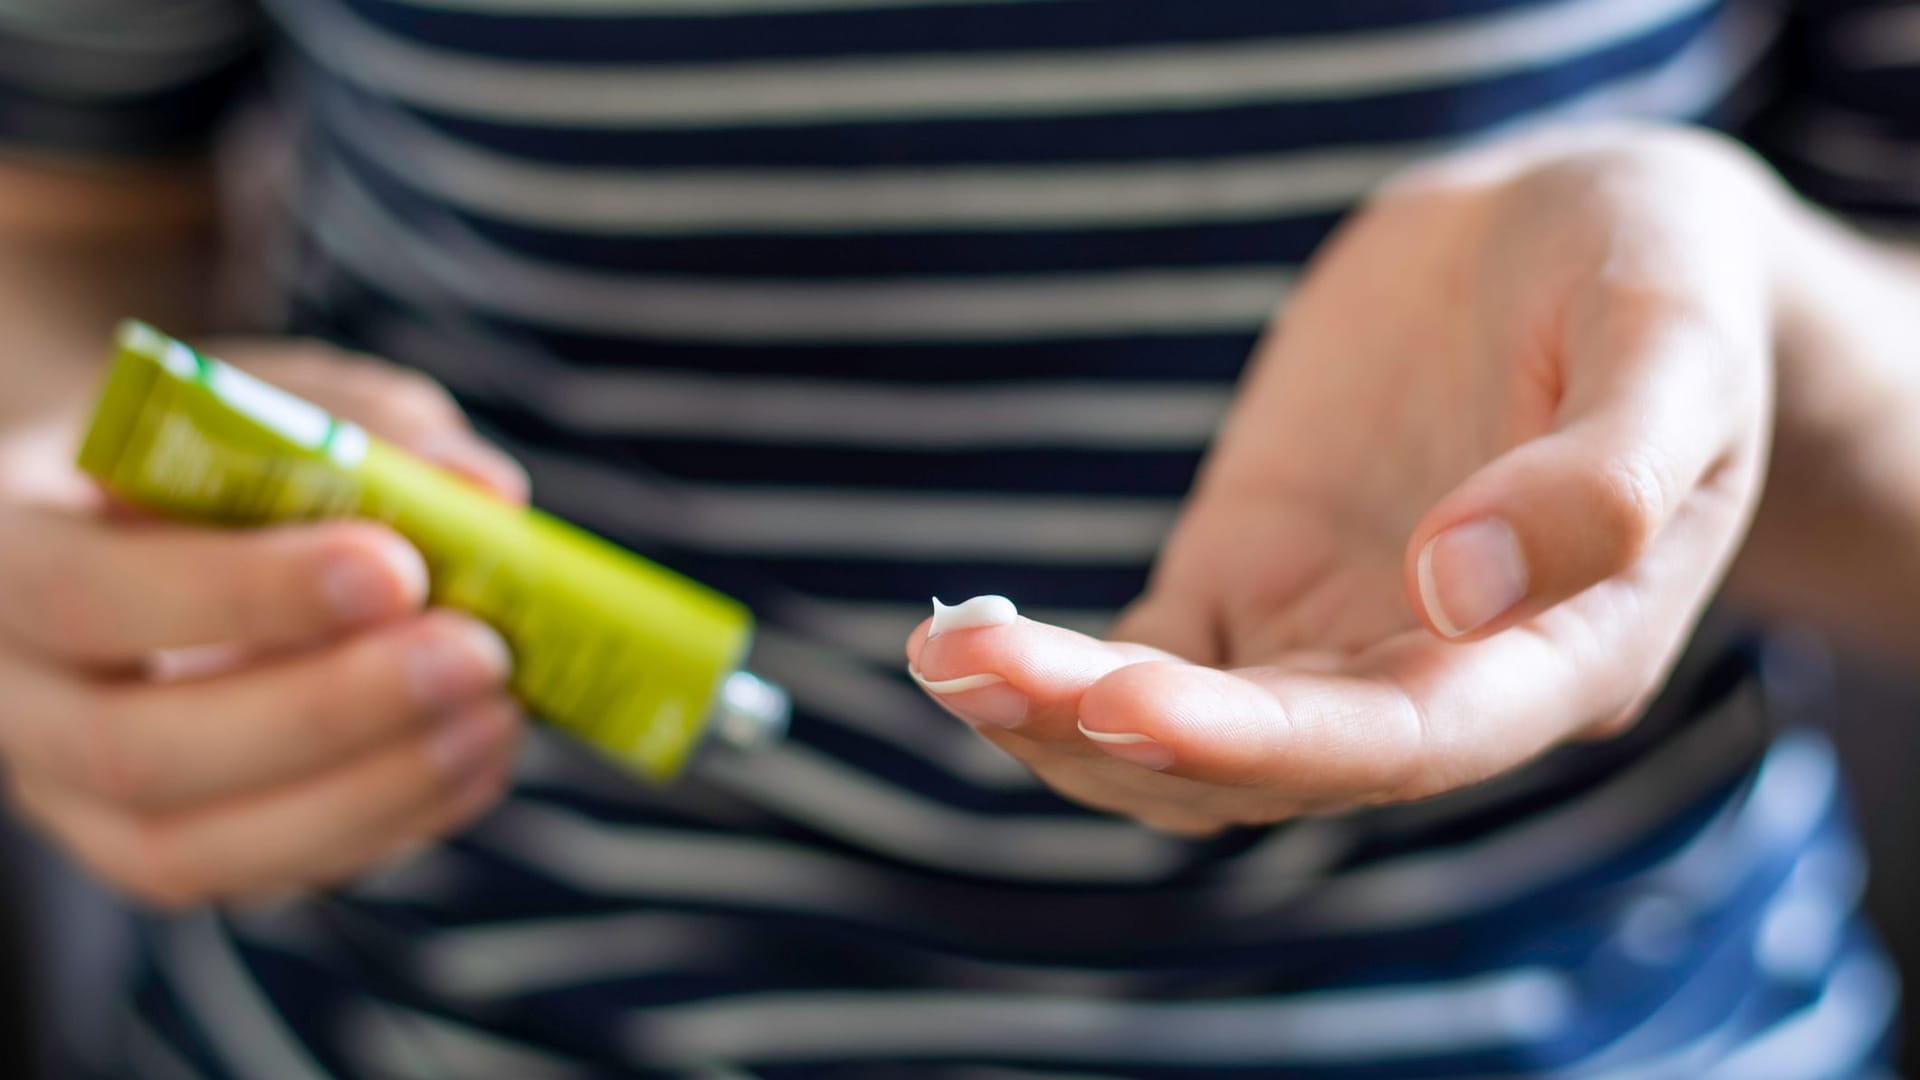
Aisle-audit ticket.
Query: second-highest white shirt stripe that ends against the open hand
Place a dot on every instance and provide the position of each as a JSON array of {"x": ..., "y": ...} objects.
[{"x": 456, "y": 266}]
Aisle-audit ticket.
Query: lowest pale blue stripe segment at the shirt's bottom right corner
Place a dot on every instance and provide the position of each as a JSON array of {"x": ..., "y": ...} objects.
[{"x": 1829, "y": 1039}]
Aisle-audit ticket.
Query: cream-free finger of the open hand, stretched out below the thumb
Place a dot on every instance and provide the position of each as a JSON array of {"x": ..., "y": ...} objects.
[{"x": 1418, "y": 716}]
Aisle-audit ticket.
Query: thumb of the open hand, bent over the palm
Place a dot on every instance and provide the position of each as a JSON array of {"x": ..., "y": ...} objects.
[{"x": 1658, "y": 403}]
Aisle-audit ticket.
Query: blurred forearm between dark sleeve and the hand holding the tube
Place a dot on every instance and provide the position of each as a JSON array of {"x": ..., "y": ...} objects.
[{"x": 82, "y": 249}]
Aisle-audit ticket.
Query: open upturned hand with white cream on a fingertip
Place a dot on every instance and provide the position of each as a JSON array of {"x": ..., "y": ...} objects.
[{"x": 1472, "y": 499}]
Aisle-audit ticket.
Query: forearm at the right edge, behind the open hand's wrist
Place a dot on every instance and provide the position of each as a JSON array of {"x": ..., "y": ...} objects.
[{"x": 1836, "y": 541}]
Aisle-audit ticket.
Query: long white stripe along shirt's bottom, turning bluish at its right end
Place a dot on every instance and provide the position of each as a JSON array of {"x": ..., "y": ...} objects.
[{"x": 1330, "y": 1027}]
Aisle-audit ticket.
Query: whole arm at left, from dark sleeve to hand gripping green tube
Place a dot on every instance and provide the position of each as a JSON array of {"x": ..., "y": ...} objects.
[{"x": 206, "y": 714}]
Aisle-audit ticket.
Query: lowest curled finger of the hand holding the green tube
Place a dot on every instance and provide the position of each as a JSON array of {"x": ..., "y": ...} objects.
[{"x": 289, "y": 837}]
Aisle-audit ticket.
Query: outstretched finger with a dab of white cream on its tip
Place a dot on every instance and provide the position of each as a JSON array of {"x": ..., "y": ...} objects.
[{"x": 997, "y": 670}]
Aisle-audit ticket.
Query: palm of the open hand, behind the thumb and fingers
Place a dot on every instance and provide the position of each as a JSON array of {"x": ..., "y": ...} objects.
[{"x": 1380, "y": 393}]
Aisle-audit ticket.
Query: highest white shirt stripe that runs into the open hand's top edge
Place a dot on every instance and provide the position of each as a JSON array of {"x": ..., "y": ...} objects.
[{"x": 863, "y": 201}]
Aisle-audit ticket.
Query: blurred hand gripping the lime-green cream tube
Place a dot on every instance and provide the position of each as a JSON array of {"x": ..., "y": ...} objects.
[{"x": 210, "y": 716}]
